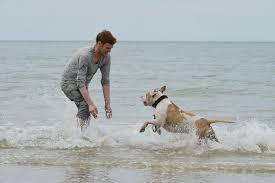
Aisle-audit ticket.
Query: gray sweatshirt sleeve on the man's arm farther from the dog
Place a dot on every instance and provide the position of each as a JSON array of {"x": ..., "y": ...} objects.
[{"x": 82, "y": 71}]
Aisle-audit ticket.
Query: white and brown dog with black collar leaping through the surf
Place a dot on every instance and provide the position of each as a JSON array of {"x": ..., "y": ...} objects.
[{"x": 170, "y": 117}]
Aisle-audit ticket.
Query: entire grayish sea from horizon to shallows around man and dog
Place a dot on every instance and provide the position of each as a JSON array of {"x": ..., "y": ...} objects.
[{"x": 233, "y": 81}]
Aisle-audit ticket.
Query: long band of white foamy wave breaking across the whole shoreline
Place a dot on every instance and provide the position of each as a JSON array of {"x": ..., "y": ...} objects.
[{"x": 249, "y": 136}]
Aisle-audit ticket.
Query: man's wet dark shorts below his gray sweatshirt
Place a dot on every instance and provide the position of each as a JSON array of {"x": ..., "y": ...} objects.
[{"x": 75, "y": 95}]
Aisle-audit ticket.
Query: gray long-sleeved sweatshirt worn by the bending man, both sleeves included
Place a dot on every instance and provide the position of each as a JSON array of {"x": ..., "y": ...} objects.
[{"x": 81, "y": 68}]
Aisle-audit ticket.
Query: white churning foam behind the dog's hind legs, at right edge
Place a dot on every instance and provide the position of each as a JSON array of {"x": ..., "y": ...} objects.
[{"x": 247, "y": 136}]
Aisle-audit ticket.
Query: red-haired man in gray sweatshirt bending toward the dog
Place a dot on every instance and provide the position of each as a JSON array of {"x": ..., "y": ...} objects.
[{"x": 80, "y": 70}]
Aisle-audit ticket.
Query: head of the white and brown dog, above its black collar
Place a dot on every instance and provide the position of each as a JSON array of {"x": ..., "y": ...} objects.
[{"x": 151, "y": 97}]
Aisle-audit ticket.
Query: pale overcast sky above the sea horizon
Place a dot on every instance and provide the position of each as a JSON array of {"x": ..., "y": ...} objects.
[{"x": 138, "y": 20}]
